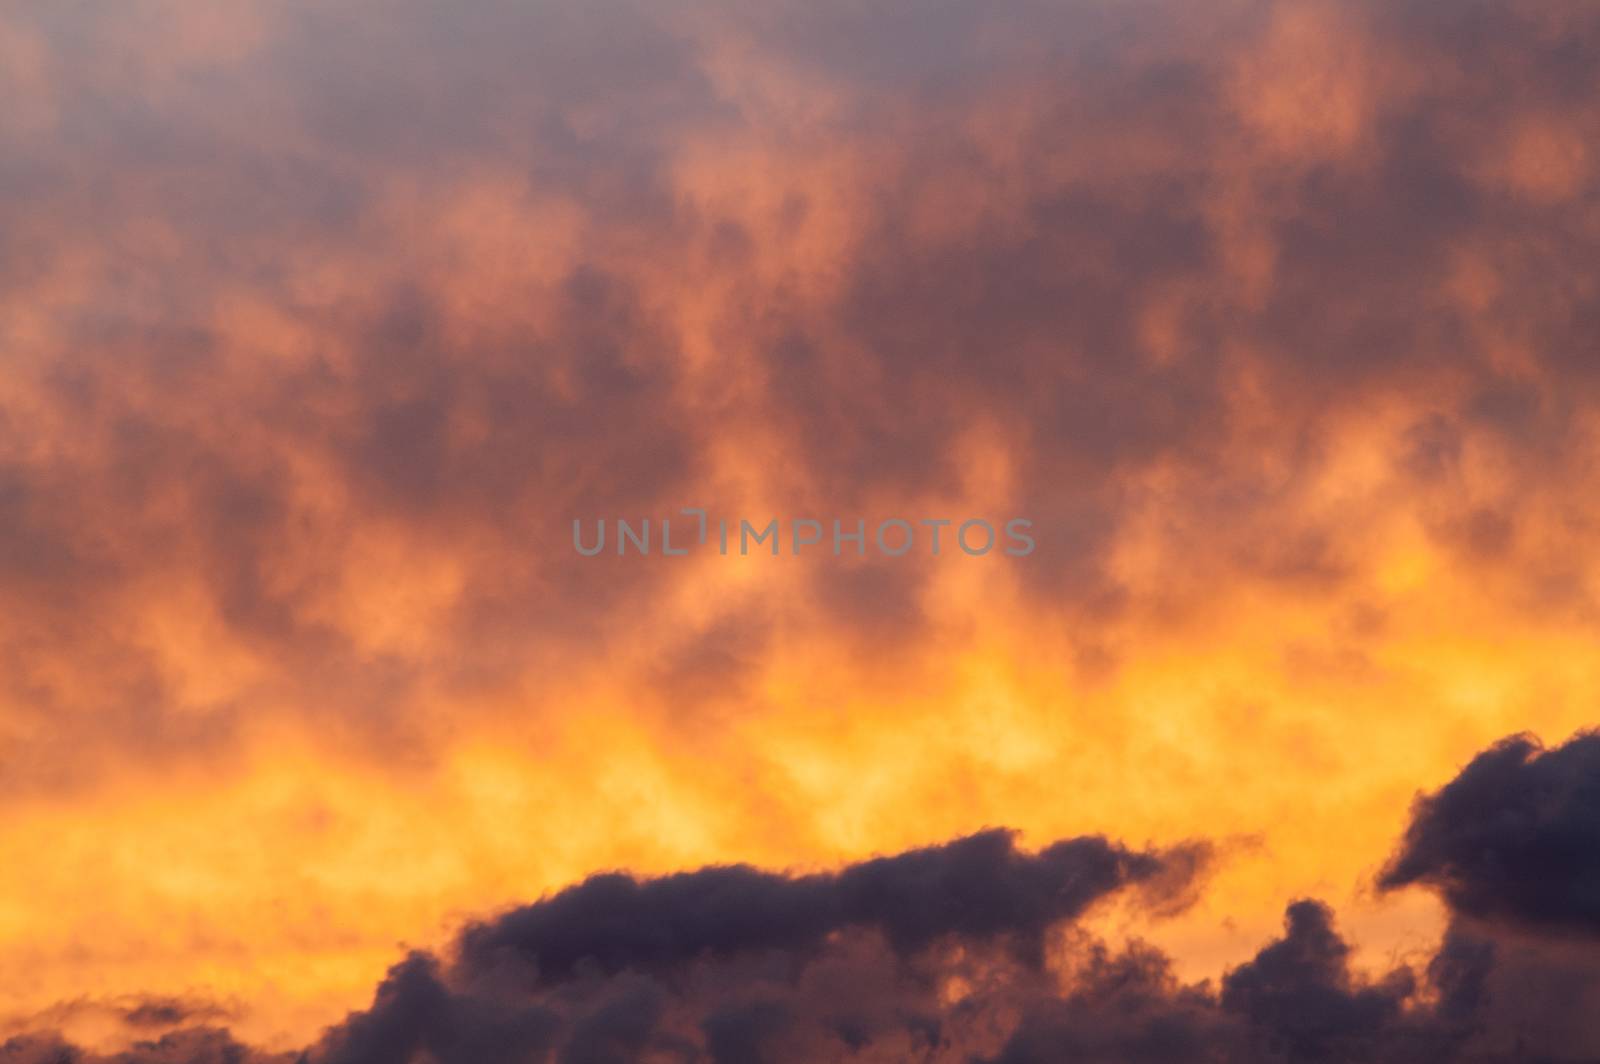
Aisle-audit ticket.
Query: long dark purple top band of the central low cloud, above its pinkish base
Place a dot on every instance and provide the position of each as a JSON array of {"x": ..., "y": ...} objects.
[{"x": 977, "y": 890}]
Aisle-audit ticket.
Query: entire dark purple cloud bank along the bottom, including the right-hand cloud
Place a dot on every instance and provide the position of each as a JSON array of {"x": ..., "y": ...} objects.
[{"x": 972, "y": 951}]
